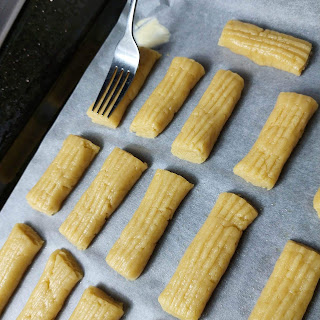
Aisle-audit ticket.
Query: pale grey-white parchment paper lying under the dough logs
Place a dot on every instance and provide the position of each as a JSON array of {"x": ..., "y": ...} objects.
[{"x": 284, "y": 213}]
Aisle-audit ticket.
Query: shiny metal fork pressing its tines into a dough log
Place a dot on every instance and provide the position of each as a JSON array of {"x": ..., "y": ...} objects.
[{"x": 123, "y": 68}]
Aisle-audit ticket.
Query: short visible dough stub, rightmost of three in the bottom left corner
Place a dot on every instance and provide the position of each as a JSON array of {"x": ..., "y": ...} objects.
[{"x": 95, "y": 304}]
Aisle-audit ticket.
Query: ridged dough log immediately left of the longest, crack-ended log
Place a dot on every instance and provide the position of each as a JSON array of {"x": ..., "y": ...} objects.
[{"x": 130, "y": 254}]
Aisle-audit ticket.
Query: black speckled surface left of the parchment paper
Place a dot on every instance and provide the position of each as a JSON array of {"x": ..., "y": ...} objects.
[{"x": 43, "y": 58}]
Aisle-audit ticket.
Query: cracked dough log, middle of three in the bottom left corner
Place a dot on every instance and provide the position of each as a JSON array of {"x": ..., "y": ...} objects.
[{"x": 61, "y": 274}]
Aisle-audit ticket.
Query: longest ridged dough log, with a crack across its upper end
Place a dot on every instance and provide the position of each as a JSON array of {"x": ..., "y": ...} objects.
[{"x": 207, "y": 258}]
